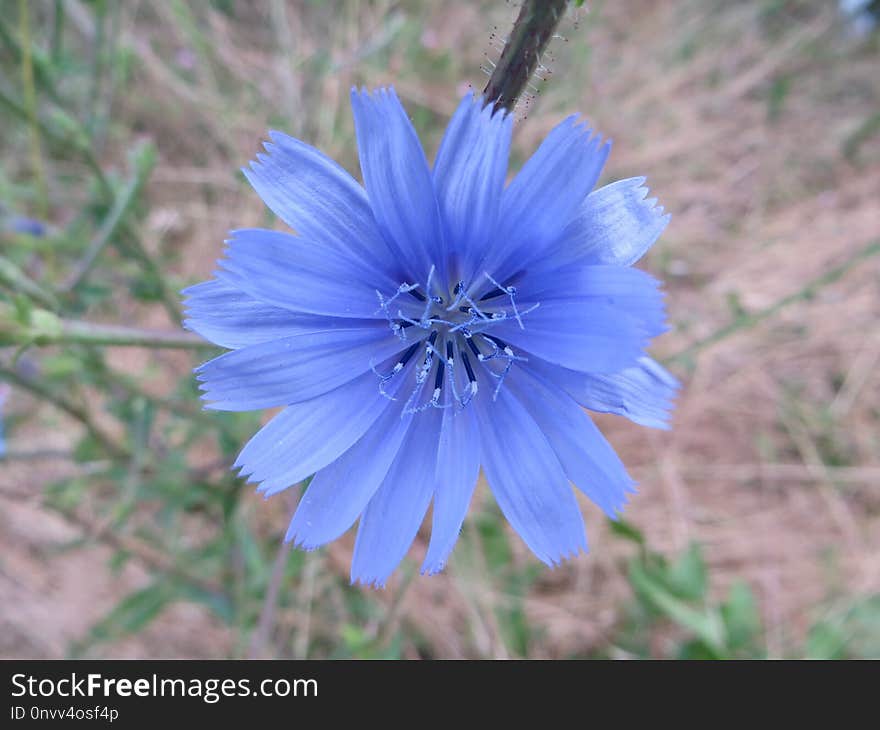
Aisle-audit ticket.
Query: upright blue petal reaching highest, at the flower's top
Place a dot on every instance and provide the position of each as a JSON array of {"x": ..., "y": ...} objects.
[{"x": 398, "y": 182}]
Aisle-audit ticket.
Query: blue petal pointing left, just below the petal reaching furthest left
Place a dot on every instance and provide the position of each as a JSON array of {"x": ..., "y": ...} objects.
[{"x": 294, "y": 369}]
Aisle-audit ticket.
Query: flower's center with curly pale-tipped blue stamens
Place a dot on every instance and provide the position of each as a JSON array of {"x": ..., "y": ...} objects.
[{"x": 449, "y": 328}]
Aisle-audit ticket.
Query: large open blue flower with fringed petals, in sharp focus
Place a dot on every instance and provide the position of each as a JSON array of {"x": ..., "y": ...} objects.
[{"x": 434, "y": 322}]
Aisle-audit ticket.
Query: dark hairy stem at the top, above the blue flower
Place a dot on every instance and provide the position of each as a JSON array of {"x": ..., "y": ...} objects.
[{"x": 532, "y": 31}]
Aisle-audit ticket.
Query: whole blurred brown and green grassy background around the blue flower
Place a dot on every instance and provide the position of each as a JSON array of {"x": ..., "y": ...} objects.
[{"x": 756, "y": 529}]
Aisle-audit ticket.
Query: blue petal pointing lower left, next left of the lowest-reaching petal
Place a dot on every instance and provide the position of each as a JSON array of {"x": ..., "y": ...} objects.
[{"x": 341, "y": 490}]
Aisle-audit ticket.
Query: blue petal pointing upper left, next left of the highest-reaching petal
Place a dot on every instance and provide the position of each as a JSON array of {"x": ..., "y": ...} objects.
[{"x": 318, "y": 199}]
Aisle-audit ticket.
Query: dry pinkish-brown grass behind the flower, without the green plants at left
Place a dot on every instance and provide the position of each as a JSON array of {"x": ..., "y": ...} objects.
[{"x": 745, "y": 117}]
